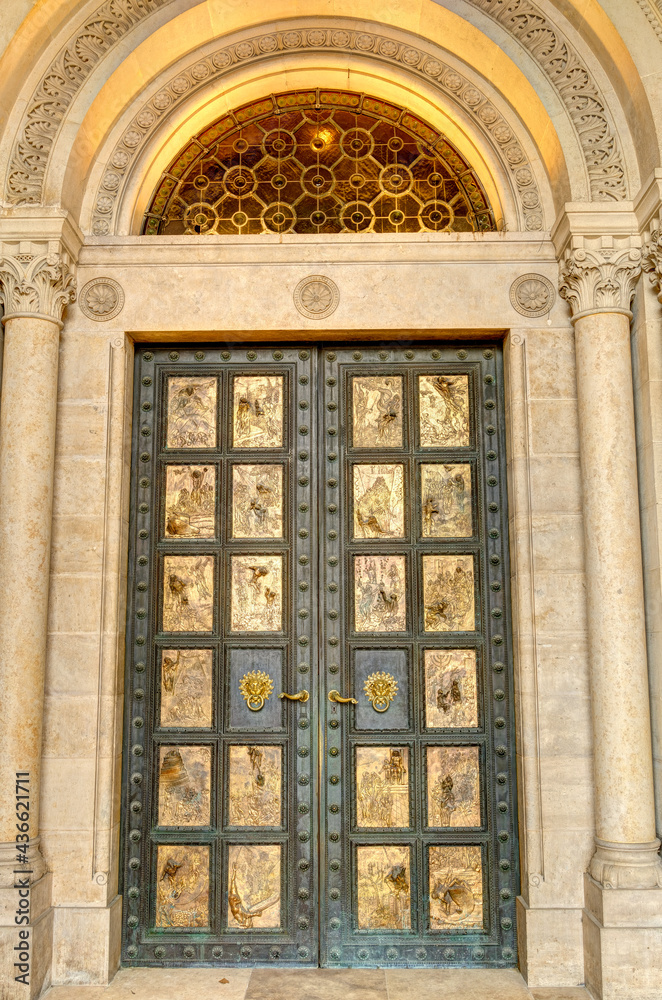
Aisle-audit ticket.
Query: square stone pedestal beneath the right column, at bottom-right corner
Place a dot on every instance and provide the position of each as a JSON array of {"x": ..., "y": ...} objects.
[{"x": 622, "y": 942}]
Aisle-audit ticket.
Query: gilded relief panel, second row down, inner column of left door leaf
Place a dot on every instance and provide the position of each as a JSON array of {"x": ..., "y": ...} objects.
[{"x": 257, "y": 501}]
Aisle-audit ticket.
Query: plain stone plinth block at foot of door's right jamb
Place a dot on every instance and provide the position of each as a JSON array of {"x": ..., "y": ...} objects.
[{"x": 549, "y": 943}]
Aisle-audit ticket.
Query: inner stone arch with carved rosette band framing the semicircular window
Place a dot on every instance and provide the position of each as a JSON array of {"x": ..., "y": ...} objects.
[{"x": 115, "y": 185}]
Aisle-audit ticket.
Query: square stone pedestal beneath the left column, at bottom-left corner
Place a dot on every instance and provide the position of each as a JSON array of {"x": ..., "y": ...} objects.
[{"x": 26, "y": 949}]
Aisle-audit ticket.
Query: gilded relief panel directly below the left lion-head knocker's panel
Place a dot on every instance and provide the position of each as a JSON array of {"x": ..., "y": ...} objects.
[{"x": 254, "y": 786}]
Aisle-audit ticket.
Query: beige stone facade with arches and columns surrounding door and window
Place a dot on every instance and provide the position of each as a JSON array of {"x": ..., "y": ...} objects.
[{"x": 558, "y": 108}]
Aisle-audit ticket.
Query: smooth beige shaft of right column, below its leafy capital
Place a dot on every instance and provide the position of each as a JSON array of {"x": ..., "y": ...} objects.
[{"x": 619, "y": 681}]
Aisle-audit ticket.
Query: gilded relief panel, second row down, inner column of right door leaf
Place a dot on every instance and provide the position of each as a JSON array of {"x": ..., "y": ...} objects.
[{"x": 379, "y": 501}]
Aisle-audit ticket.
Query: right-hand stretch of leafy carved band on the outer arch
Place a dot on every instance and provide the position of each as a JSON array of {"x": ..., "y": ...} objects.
[{"x": 577, "y": 89}]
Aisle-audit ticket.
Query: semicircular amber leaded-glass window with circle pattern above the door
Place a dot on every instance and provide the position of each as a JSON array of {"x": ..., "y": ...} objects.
[{"x": 318, "y": 162}]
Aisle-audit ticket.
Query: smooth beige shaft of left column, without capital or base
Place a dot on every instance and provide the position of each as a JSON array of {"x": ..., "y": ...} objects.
[{"x": 27, "y": 449}]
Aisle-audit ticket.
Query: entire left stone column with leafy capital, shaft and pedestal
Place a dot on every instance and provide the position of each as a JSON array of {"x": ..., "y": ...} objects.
[{"x": 36, "y": 283}]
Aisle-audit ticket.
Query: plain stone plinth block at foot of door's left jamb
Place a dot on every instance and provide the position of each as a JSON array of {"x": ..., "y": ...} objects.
[{"x": 86, "y": 943}]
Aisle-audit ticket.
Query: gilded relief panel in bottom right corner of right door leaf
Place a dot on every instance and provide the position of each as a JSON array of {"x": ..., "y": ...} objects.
[{"x": 456, "y": 887}]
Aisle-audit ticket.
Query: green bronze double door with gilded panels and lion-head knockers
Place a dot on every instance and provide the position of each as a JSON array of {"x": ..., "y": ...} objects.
[{"x": 319, "y": 757}]
